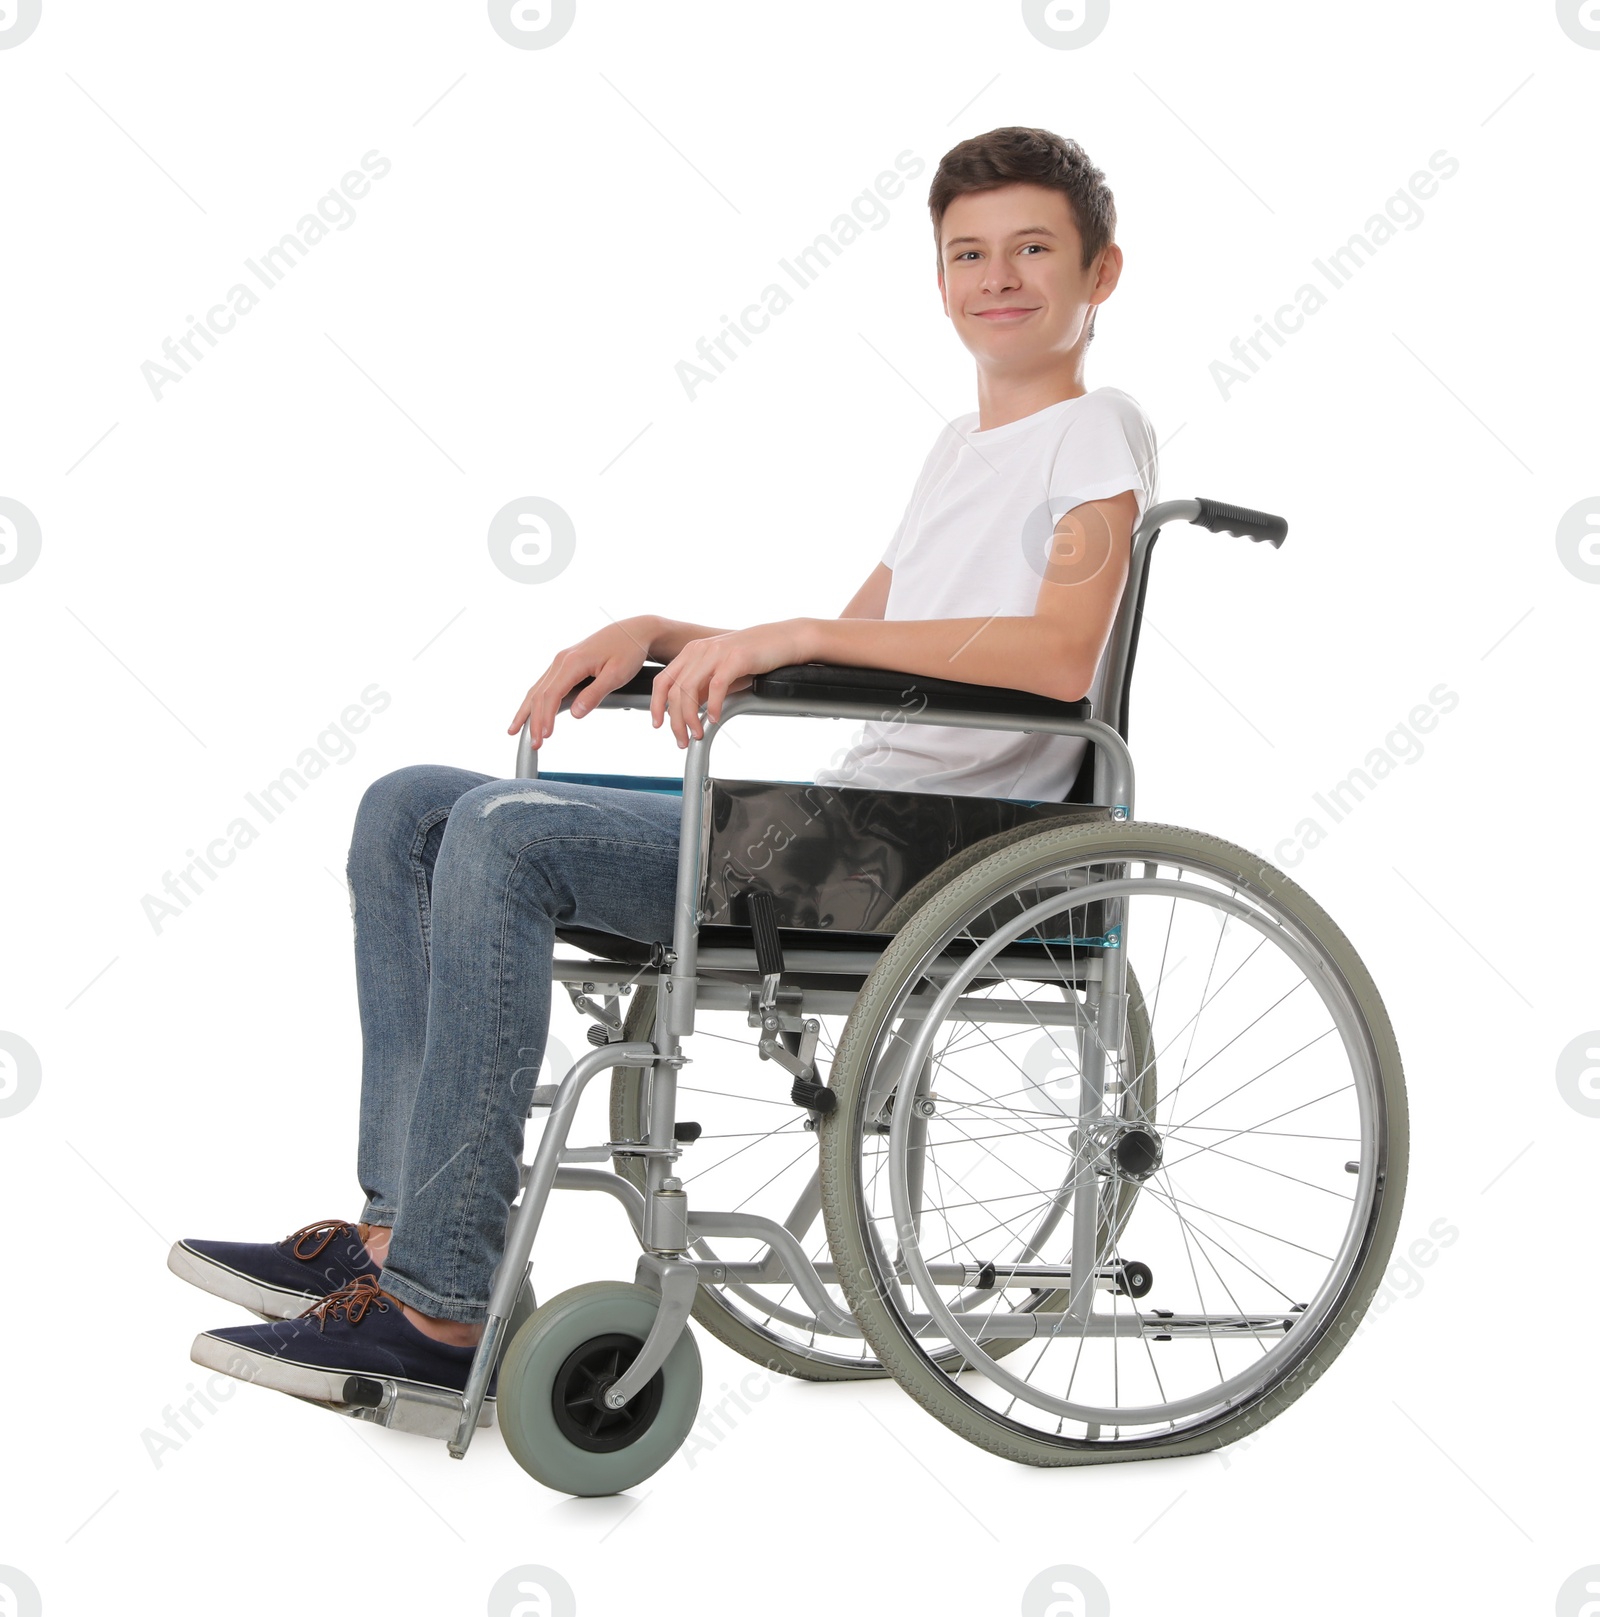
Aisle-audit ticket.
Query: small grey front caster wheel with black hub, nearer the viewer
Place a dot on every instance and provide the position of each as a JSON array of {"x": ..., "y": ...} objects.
[{"x": 552, "y": 1383}]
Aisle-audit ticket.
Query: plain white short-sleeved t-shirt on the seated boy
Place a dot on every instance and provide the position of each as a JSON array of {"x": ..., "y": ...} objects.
[{"x": 973, "y": 544}]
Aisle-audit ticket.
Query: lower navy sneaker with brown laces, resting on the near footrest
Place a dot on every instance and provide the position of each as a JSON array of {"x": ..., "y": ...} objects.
[{"x": 357, "y": 1332}]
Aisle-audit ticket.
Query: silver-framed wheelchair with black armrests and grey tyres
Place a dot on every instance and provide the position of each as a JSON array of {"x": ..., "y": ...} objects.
[{"x": 1090, "y": 1133}]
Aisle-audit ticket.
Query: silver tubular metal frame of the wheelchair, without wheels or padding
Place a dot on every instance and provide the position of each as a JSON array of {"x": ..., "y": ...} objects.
[{"x": 666, "y": 1225}]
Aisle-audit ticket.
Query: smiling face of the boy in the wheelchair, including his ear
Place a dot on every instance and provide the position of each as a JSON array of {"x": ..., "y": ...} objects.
[{"x": 1012, "y": 277}]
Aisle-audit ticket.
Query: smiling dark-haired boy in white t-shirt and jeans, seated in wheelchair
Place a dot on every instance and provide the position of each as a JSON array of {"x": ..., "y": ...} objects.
[{"x": 1005, "y": 572}]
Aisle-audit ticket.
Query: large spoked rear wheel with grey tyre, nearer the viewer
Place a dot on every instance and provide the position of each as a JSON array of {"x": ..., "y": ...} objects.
[{"x": 1127, "y": 1281}]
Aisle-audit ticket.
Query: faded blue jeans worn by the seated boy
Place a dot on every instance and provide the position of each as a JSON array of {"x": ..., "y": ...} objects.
[{"x": 457, "y": 885}]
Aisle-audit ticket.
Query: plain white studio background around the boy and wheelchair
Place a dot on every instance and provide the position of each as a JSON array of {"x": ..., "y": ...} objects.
[{"x": 305, "y": 515}]
